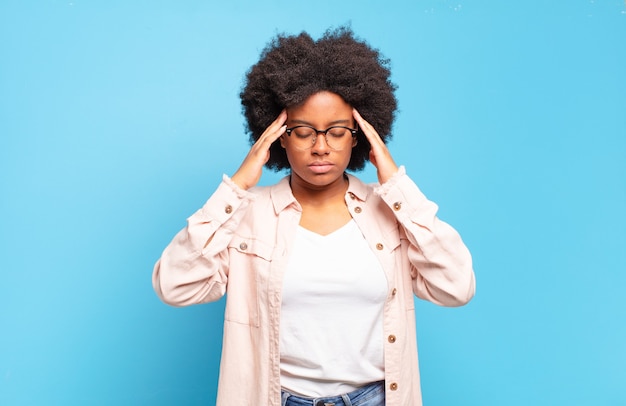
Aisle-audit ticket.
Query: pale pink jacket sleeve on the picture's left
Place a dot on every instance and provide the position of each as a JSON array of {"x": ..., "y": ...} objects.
[{"x": 194, "y": 266}]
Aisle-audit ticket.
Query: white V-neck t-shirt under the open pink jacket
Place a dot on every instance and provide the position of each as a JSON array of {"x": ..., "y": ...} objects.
[{"x": 331, "y": 332}]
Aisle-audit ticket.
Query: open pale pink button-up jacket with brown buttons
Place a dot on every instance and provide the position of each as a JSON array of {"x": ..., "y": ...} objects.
[{"x": 239, "y": 242}]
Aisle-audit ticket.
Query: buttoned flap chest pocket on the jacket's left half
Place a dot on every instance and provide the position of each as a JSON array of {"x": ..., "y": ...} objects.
[{"x": 249, "y": 257}]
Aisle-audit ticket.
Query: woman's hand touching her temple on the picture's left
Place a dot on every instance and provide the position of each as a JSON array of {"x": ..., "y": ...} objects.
[{"x": 249, "y": 173}]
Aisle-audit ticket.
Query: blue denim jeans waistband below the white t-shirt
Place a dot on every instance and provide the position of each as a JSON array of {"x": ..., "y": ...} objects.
[{"x": 368, "y": 395}]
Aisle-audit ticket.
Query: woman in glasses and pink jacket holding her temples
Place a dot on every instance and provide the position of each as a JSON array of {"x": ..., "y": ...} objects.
[{"x": 320, "y": 269}]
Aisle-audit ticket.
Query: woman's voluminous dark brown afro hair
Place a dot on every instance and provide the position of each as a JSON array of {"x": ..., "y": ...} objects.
[{"x": 292, "y": 68}]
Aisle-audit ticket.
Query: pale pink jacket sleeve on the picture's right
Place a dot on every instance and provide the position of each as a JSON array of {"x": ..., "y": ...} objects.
[{"x": 441, "y": 264}]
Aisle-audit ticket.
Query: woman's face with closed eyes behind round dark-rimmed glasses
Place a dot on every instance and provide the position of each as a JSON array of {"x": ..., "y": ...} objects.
[{"x": 320, "y": 165}]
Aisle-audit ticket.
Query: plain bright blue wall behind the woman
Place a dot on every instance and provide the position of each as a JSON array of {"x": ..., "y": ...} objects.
[{"x": 117, "y": 120}]
